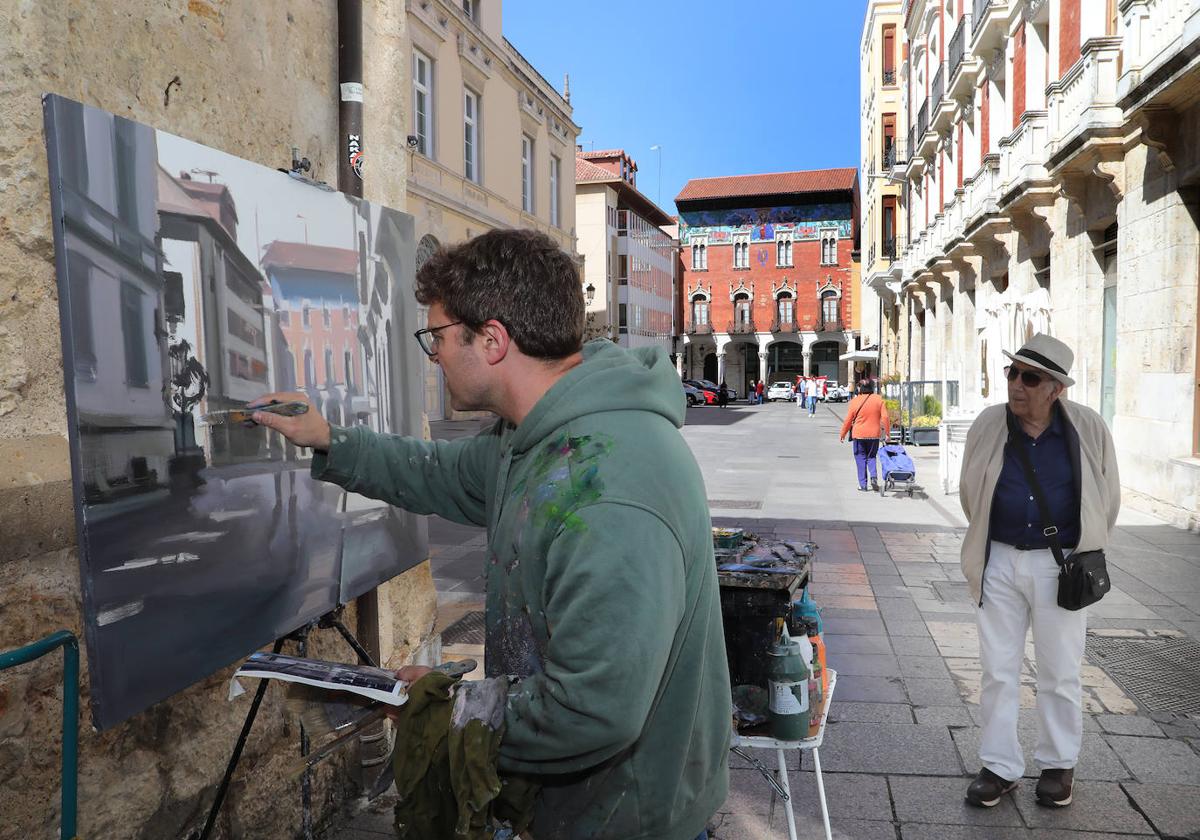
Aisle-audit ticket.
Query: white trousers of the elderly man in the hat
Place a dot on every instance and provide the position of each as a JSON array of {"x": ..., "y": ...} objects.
[{"x": 1022, "y": 587}]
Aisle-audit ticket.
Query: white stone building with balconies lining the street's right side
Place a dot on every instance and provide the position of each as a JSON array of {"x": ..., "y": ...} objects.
[{"x": 1053, "y": 184}]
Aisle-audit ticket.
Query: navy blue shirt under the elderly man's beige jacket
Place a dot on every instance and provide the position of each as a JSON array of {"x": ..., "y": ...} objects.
[{"x": 1015, "y": 513}]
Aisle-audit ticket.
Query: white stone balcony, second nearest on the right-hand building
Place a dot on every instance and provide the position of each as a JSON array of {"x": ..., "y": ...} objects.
[{"x": 1084, "y": 103}]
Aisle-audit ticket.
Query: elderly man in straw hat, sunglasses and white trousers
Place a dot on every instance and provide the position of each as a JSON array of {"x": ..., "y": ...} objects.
[{"x": 1012, "y": 572}]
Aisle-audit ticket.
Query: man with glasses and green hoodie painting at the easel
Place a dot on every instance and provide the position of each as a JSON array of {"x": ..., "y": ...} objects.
[{"x": 599, "y": 536}]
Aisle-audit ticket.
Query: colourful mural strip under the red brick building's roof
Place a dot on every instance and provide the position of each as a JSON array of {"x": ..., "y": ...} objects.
[{"x": 805, "y": 221}]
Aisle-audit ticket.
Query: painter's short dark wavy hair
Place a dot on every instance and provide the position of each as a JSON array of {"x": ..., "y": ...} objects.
[{"x": 519, "y": 278}]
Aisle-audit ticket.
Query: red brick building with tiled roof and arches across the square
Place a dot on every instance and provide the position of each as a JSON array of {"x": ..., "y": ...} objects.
[{"x": 769, "y": 283}]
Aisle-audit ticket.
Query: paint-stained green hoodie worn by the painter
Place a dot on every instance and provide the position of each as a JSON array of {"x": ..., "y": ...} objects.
[{"x": 602, "y": 592}]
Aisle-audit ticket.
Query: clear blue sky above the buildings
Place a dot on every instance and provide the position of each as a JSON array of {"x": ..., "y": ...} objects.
[{"x": 724, "y": 88}]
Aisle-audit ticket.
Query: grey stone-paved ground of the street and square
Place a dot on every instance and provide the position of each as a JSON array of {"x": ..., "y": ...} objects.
[{"x": 903, "y": 739}]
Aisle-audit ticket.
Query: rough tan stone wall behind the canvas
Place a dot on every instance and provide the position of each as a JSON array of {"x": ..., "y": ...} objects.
[{"x": 254, "y": 80}]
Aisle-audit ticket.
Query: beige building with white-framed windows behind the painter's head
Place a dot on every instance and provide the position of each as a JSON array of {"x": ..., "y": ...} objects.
[{"x": 491, "y": 141}]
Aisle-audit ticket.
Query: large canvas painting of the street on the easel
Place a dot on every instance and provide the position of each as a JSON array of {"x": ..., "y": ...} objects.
[{"x": 193, "y": 281}]
